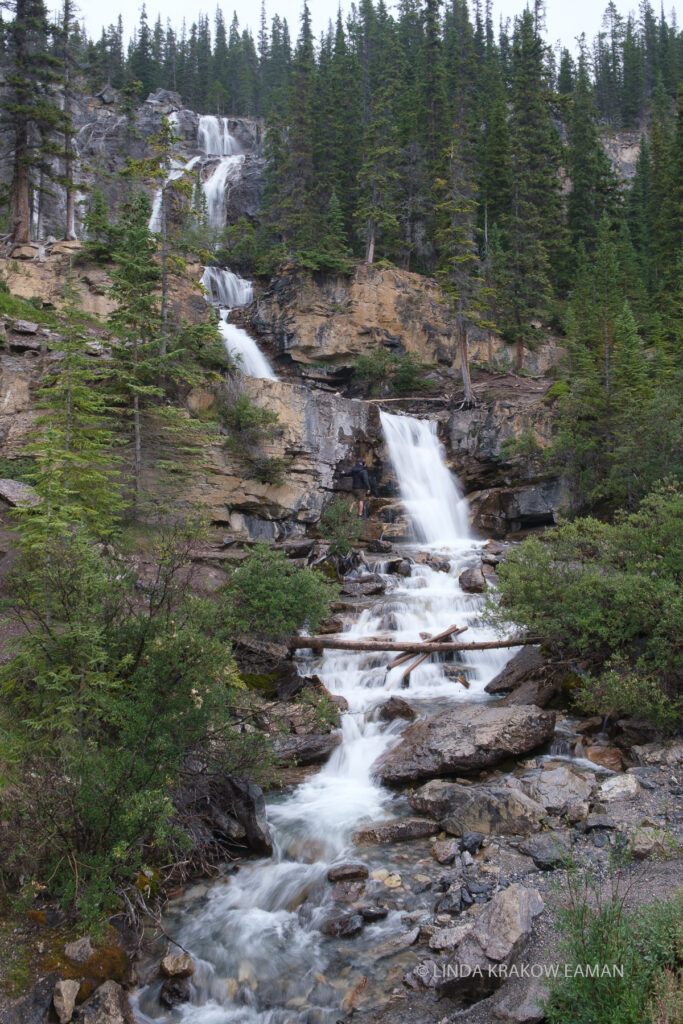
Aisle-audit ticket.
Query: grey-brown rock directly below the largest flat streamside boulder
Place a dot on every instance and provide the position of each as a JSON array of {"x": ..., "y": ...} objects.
[{"x": 490, "y": 810}]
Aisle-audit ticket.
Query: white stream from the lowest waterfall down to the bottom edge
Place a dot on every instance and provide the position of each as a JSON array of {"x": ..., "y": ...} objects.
[{"x": 255, "y": 938}]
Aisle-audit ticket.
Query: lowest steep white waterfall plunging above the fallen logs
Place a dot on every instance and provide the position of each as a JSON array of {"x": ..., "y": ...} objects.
[{"x": 429, "y": 490}]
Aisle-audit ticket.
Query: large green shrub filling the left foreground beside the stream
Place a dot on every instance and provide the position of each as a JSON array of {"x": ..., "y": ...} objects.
[{"x": 107, "y": 693}]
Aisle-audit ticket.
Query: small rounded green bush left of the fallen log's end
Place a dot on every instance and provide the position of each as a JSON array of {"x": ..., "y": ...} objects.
[{"x": 270, "y": 596}]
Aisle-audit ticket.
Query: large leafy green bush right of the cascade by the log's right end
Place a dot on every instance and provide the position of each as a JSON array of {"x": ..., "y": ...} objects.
[{"x": 609, "y": 596}]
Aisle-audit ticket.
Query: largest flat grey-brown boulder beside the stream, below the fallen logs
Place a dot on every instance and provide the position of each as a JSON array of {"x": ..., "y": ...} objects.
[{"x": 464, "y": 742}]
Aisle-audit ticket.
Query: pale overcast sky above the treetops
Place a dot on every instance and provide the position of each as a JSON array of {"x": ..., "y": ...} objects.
[{"x": 566, "y": 19}]
